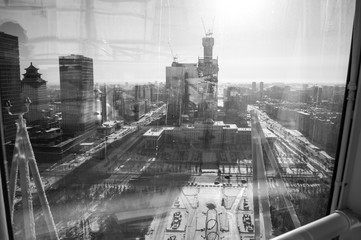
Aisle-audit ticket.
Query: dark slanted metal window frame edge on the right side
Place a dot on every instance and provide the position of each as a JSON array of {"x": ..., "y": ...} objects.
[{"x": 351, "y": 129}]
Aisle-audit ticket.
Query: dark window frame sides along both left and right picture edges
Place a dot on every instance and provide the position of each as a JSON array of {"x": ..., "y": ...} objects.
[{"x": 346, "y": 156}]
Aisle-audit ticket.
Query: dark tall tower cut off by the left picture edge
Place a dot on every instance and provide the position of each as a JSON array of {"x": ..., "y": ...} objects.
[{"x": 10, "y": 85}]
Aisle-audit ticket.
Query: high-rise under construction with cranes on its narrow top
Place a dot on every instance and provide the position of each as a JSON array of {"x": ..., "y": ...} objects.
[{"x": 192, "y": 88}]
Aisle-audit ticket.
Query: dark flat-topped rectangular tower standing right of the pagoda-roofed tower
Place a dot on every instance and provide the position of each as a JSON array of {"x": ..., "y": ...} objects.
[{"x": 77, "y": 94}]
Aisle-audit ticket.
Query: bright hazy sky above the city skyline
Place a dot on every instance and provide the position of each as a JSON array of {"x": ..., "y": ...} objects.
[{"x": 130, "y": 41}]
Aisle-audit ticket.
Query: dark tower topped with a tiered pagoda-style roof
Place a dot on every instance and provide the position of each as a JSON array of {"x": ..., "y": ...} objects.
[{"x": 34, "y": 87}]
